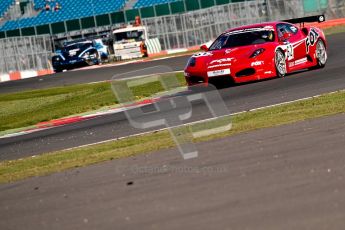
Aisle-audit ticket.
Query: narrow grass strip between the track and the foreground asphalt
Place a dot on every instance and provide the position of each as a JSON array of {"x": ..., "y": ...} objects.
[{"x": 10, "y": 171}]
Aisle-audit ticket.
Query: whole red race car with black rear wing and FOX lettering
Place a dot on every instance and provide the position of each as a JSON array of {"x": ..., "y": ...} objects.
[{"x": 260, "y": 51}]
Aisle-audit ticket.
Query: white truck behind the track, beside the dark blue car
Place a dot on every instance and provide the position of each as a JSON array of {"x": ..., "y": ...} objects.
[{"x": 129, "y": 42}]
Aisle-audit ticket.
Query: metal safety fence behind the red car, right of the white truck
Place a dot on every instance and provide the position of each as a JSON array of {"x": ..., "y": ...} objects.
[{"x": 200, "y": 26}]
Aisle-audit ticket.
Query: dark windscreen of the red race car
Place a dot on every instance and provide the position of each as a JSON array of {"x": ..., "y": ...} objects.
[{"x": 242, "y": 38}]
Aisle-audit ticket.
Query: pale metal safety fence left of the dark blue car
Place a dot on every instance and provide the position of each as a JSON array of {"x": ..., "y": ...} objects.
[{"x": 25, "y": 53}]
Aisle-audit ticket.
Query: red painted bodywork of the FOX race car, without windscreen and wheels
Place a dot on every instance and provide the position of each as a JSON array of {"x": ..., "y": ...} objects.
[{"x": 299, "y": 49}]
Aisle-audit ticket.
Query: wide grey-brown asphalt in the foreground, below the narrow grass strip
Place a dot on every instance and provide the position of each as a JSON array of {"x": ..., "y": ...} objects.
[{"x": 287, "y": 177}]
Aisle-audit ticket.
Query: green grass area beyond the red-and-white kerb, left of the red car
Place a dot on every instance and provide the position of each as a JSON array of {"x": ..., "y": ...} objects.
[{"x": 31, "y": 107}]
